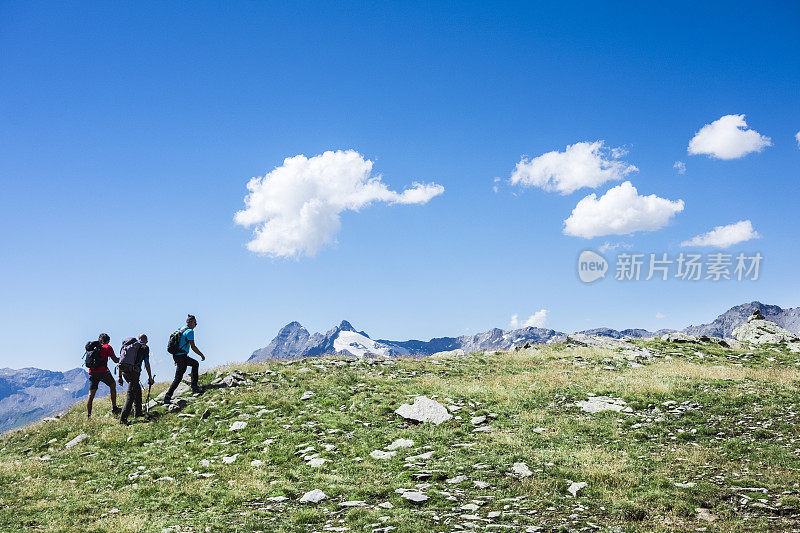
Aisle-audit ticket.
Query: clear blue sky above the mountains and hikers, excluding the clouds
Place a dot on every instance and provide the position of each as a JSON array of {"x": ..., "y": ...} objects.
[{"x": 128, "y": 134}]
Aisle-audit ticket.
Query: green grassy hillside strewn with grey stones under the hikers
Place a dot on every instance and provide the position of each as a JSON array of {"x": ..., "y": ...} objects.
[{"x": 708, "y": 428}]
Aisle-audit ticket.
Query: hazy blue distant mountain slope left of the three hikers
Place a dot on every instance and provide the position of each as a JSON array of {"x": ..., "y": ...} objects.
[{"x": 30, "y": 394}]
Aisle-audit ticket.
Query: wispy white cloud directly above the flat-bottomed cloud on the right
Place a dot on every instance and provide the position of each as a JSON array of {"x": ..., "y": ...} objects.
[{"x": 582, "y": 164}]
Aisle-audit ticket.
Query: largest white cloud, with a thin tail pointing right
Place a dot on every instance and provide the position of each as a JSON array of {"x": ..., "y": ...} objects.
[{"x": 296, "y": 206}]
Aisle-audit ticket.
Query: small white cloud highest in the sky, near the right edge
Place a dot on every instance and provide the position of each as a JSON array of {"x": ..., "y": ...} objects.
[{"x": 727, "y": 138}]
